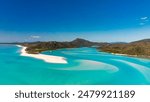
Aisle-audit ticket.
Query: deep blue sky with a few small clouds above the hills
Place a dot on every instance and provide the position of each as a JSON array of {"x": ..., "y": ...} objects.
[{"x": 61, "y": 20}]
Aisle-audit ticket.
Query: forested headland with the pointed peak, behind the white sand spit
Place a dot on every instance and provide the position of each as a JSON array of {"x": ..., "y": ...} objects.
[{"x": 38, "y": 47}]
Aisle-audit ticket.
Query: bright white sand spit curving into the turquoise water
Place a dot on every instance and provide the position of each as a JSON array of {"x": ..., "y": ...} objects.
[{"x": 46, "y": 58}]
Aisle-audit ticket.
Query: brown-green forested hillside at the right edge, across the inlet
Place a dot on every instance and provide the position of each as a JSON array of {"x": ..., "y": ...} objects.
[{"x": 138, "y": 48}]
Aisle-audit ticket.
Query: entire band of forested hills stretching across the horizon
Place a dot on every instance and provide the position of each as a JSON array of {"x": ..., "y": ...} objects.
[{"x": 139, "y": 48}]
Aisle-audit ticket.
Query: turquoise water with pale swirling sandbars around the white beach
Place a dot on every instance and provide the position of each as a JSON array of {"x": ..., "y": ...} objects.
[{"x": 86, "y": 66}]
